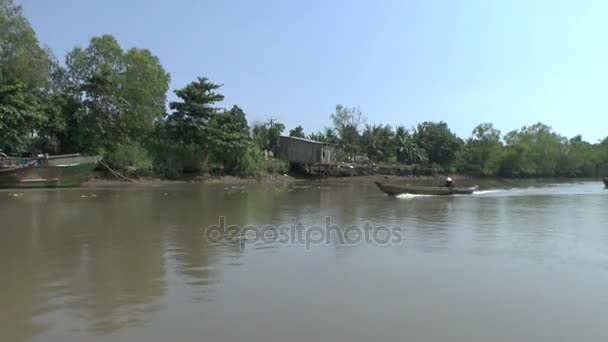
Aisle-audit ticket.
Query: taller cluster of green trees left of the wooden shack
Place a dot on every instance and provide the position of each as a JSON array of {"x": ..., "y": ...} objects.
[{"x": 104, "y": 99}]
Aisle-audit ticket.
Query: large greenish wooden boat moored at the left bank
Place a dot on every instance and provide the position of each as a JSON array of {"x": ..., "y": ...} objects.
[{"x": 68, "y": 170}]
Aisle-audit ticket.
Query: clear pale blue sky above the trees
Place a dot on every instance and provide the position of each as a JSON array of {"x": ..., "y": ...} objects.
[{"x": 511, "y": 62}]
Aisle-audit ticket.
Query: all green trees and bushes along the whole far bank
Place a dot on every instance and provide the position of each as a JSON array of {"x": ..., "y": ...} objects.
[{"x": 107, "y": 100}]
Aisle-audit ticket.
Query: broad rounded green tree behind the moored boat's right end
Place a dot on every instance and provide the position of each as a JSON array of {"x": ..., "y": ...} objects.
[{"x": 121, "y": 93}]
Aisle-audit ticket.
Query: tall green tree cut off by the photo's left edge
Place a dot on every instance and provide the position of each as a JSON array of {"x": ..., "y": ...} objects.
[{"x": 27, "y": 115}]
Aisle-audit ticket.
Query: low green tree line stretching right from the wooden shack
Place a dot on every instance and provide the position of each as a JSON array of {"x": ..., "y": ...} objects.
[{"x": 532, "y": 151}]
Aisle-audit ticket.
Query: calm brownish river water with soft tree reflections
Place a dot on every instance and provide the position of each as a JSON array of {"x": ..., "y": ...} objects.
[{"x": 254, "y": 262}]
